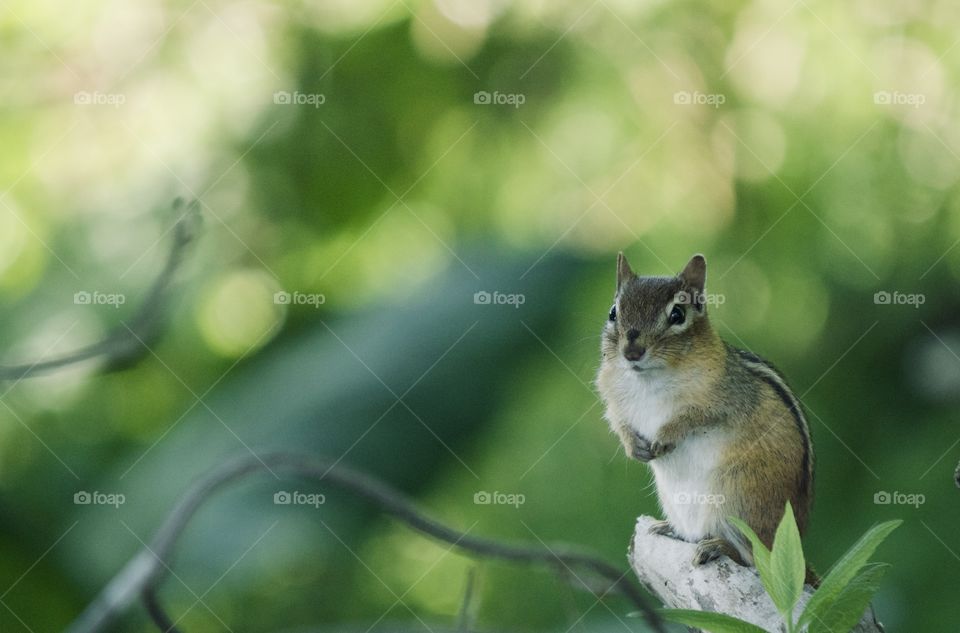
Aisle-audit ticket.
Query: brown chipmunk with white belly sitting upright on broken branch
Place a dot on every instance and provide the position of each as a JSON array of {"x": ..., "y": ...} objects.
[{"x": 720, "y": 428}]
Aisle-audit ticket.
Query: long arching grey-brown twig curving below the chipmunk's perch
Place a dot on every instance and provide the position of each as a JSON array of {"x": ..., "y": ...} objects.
[{"x": 147, "y": 568}]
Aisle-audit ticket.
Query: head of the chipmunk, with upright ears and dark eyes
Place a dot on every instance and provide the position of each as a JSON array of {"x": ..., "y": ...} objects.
[{"x": 655, "y": 321}]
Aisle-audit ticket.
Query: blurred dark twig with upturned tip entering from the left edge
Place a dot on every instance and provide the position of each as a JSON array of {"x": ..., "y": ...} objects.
[{"x": 124, "y": 344}]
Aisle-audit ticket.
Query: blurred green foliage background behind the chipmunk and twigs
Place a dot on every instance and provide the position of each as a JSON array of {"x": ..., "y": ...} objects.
[{"x": 811, "y": 152}]
